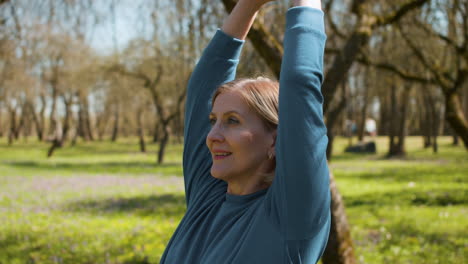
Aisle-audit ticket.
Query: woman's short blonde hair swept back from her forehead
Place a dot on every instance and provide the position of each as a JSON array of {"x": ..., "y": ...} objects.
[{"x": 261, "y": 95}]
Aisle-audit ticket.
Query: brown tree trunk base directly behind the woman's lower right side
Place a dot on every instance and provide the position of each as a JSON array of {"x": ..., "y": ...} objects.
[{"x": 339, "y": 248}]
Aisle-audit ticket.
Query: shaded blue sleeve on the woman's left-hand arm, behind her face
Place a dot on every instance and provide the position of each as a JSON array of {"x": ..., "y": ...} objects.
[{"x": 216, "y": 66}]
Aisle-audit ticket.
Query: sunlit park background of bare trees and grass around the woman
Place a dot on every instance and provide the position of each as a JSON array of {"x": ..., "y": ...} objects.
[{"x": 97, "y": 89}]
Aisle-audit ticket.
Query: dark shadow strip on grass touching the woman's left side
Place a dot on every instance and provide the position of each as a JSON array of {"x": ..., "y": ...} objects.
[{"x": 166, "y": 205}]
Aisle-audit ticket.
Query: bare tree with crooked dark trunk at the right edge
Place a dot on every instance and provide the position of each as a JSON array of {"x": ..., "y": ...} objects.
[{"x": 448, "y": 72}]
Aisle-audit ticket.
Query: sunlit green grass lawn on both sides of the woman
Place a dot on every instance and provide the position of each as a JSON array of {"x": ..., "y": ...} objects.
[{"x": 105, "y": 202}]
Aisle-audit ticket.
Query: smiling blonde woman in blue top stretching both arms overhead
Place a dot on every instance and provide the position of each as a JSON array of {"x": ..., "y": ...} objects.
[{"x": 256, "y": 181}]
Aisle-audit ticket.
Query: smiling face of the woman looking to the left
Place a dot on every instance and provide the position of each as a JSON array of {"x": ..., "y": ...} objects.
[{"x": 239, "y": 141}]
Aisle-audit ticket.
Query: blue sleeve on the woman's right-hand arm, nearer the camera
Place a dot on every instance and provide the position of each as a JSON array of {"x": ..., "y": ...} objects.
[{"x": 299, "y": 198}]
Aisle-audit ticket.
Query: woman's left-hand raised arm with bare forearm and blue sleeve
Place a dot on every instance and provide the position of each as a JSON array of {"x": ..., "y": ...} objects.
[{"x": 216, "y": 66}]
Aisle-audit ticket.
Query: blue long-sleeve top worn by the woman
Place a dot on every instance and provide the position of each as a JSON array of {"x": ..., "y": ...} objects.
[{"x": 289, "y": 222}]
